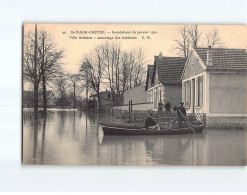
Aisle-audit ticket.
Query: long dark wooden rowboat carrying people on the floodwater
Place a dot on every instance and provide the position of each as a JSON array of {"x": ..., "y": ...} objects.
[{"x": 112, "y": 129}]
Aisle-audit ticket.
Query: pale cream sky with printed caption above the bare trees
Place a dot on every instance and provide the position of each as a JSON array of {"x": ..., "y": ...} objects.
[{"x": 161, "y": 39}]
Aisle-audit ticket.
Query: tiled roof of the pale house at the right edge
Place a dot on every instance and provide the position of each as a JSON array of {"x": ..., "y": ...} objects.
[{"x": 224, "y": 58}]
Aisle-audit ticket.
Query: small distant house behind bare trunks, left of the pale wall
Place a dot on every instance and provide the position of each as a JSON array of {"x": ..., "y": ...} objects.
[{"x": 107, "y": 99}]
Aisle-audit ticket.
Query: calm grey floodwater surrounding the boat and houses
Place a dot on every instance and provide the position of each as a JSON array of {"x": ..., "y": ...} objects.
[{"x": 68, "y": 137}]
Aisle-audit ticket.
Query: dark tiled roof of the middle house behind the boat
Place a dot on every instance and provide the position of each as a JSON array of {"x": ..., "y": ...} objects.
[{"x": 169, "y": 69}]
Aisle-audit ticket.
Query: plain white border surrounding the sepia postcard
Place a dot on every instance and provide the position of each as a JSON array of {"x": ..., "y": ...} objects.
[{"x": 15, "y": 177}]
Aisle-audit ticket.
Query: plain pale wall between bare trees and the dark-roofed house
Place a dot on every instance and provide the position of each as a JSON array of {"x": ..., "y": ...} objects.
[{"x": 137, "y": 95}]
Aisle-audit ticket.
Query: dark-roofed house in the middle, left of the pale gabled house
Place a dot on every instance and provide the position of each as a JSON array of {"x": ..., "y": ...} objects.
[{"x": 166, "y": 80}]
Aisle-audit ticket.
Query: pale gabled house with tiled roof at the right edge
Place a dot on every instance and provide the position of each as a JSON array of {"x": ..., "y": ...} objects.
[{"x": 215, "y": 82}]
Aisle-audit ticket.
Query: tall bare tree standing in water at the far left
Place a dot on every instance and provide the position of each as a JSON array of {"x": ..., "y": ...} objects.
[{"x": 47, "y": 58}]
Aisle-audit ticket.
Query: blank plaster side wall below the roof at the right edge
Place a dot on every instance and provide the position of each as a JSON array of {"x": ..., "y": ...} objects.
[{"x": 227, "y": 93}]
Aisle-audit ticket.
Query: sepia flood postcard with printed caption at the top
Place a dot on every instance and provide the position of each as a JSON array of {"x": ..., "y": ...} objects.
[{"x": 134, "y": 95}]
